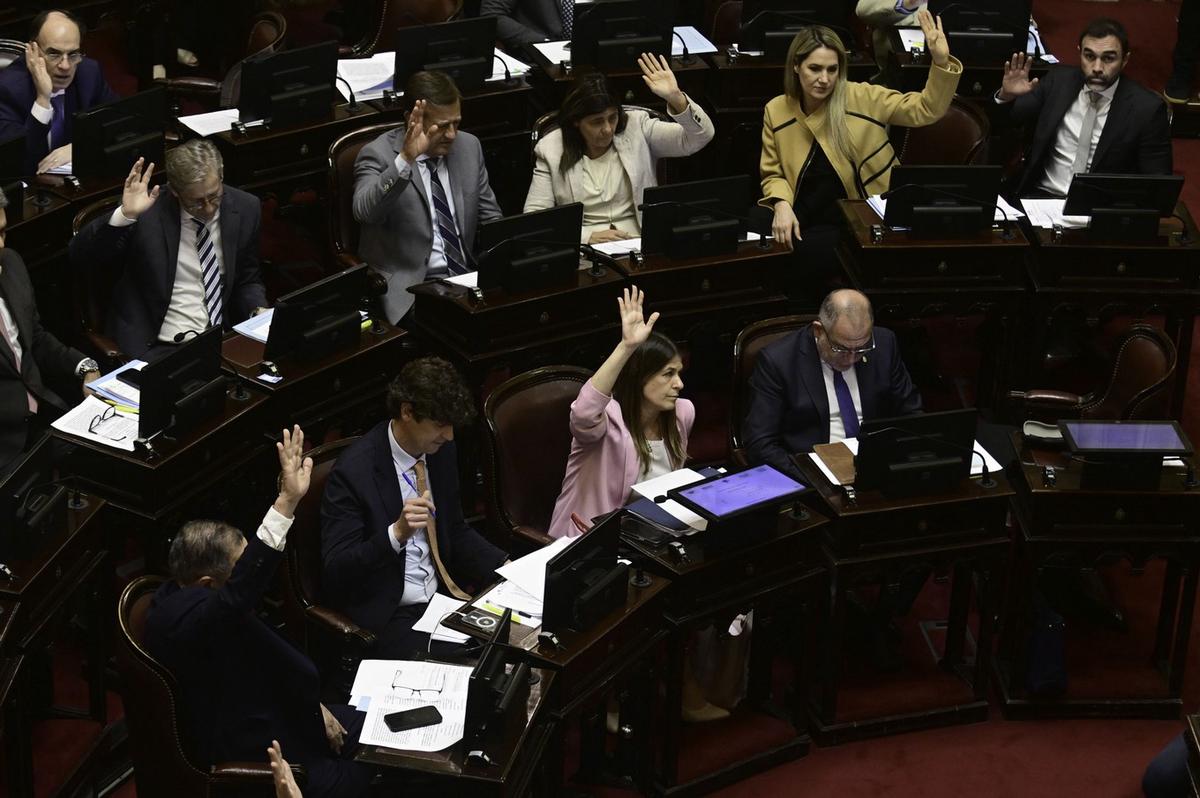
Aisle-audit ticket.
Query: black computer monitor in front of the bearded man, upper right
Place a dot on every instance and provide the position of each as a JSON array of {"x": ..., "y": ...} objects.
[{"x": 1124, "y": 207}]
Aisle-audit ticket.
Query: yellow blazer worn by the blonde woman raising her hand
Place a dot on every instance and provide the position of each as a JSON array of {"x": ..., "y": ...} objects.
[{"x": 788, "y": 134}]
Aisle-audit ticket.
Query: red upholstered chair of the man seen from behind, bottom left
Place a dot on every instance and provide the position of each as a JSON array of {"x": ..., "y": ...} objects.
[{"x": 161, "y": 765}]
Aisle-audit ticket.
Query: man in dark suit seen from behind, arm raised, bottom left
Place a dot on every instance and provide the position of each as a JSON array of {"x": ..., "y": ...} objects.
[{"x": 243, "y": 685}]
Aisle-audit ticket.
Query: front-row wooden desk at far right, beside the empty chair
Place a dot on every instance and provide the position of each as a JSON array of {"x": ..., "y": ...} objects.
[{"x": 1077, "y": 527}]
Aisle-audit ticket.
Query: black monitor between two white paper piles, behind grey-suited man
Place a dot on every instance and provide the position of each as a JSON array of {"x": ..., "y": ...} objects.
[{"x": 290, "y": 87}]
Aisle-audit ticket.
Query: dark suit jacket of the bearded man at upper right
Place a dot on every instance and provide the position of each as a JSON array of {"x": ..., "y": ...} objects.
[{"x": 1136, "y": 139}]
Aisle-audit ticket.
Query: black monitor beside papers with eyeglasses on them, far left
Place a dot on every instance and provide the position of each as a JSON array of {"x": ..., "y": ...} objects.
[{"x": 184, "y": 387}]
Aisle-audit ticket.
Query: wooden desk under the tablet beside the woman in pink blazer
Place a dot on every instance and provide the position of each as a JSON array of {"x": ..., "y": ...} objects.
[{"x": 715, "y": 586}]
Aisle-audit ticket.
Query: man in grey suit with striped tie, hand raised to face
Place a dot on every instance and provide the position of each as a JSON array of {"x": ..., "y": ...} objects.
[{"x": 419, "y": 194}]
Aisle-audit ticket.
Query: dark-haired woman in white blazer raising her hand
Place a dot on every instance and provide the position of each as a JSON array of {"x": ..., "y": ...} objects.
[{"x": 604, "y": 157}]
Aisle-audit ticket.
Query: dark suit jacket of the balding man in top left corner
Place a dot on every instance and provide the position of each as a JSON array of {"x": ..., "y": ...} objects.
[{"x": 17, "y": 97}]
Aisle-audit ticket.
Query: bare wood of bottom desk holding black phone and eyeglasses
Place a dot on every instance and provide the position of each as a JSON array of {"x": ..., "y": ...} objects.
[{"x": 517, "y": 751}]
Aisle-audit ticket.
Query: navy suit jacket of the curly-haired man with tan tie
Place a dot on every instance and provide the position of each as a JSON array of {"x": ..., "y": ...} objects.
[{"x": 363, "y": 577}]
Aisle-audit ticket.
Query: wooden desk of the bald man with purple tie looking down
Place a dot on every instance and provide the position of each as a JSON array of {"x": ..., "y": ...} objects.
[{"x": 962, "y": 531}]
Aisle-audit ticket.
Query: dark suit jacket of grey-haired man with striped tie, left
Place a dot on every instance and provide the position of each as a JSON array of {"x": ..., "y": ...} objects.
[{"x": 149, "y": 253}]
